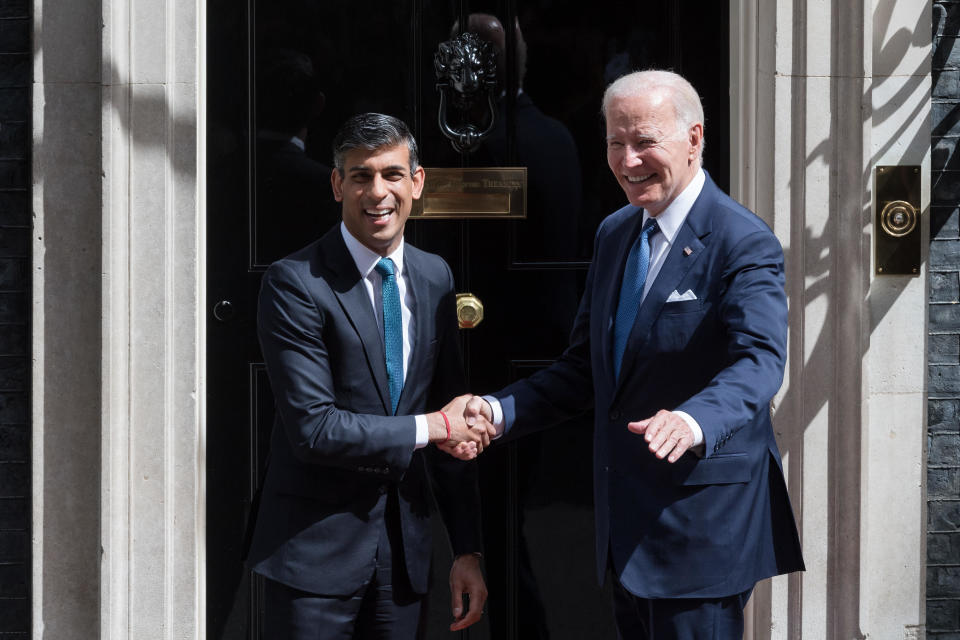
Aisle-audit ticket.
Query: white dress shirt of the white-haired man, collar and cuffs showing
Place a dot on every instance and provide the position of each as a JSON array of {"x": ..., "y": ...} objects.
[{"x": 669, "y": 222}]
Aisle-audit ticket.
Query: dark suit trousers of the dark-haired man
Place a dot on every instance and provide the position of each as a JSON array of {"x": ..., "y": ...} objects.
[{"x": 385, "y": 608}]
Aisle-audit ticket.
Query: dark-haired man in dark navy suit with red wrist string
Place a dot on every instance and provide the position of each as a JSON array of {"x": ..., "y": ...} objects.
[{"x": 358, "y": 332}]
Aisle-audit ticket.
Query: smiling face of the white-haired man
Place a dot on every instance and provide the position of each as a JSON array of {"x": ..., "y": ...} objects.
[{"x": 652, "y": 158}]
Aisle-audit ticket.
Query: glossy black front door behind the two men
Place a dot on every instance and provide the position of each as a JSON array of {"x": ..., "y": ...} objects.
[{"x": 285, "y": 69}]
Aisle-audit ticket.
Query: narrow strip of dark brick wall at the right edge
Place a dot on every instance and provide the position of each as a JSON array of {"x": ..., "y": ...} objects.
[{"x": 943, "y": 422}]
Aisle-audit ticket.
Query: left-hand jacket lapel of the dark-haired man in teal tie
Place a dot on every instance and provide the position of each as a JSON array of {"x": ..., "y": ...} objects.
[{"x": 352, "y": 294}]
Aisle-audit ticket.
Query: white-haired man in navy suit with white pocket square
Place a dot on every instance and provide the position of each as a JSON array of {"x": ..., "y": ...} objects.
[{"x": 678, "y": 346}]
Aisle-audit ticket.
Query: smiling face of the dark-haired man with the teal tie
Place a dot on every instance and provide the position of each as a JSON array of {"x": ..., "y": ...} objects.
[{"x": 377, "y": 190}]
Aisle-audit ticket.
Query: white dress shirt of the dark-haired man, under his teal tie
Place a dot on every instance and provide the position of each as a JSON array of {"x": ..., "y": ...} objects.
[{"x": 366, "y": 260}]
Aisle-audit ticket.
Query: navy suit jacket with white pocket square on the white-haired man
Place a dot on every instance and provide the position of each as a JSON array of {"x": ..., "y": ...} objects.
[{"x": 701, "y": 527}]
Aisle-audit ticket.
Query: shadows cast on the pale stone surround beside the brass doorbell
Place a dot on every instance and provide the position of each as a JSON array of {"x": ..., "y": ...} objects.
[{"x": 837, "y": 290}]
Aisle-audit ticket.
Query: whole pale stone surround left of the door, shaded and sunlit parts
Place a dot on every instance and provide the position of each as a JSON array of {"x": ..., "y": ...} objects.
[{"x": 117, "y": 320}]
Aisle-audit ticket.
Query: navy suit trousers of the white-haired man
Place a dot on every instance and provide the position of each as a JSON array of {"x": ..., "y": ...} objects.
[{"x": 678, "y": 618}]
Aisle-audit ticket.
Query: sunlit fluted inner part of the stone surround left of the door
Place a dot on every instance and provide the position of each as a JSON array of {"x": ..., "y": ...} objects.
[{"x": 152, "y": 461}]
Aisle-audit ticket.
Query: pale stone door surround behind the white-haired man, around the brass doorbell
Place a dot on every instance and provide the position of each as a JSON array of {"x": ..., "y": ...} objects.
[{"x": 831, "y": 90}]
